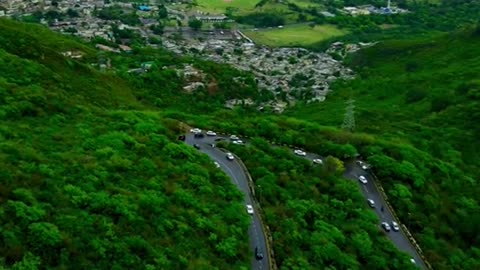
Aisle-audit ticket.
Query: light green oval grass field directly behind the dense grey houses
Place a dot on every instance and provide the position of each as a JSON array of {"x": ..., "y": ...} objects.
[{"x": 296, "y": 35}]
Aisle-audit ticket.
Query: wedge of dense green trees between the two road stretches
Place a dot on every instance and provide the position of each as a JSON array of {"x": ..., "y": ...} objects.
[{"x": 318, "y": 219}]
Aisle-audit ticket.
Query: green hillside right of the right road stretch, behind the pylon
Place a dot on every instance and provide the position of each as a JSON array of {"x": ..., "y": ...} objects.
[{"x": 421, "y": 94}]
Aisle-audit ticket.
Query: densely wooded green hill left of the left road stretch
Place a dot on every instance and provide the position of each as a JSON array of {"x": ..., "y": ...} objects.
[{"x": 91, "y": 180}]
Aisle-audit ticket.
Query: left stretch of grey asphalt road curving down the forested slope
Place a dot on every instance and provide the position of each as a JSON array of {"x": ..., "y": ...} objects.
[{"x": 233, "y": 169}]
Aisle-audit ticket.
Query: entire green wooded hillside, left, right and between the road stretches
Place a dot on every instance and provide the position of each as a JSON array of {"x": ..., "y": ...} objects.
[{"x": 93, "y": 177}]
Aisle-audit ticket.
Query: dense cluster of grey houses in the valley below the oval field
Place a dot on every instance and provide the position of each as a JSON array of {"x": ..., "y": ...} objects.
[{"x": 291, "y": 74}]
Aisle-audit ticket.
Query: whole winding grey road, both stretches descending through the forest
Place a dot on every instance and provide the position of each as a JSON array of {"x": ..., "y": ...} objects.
[{"x": 257, "y": 236}]
